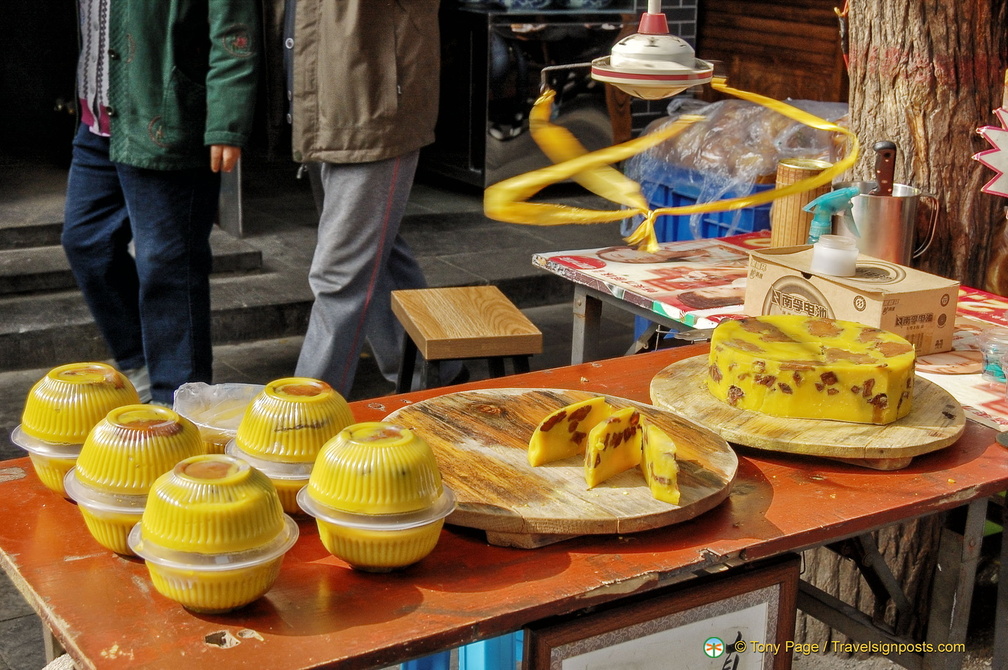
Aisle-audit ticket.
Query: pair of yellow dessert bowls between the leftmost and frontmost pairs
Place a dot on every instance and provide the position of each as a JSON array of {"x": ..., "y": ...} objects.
[{"x": 121, "y": 459}]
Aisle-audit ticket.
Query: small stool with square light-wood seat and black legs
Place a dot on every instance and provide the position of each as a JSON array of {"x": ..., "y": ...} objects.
[{"x": 462, "y": 323}]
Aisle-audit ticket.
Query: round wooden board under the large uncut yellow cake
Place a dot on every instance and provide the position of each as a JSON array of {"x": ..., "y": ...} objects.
[{"x": 936, "y": 422}]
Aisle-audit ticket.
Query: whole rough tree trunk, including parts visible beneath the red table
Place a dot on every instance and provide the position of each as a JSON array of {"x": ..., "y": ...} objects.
[{"x": 926, "y": 75}]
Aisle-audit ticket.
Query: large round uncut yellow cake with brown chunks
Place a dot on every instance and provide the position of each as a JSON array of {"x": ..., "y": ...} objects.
[{"x": 795, "y": 366}]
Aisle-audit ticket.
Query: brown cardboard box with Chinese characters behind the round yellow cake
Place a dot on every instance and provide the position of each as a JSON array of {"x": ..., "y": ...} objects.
[{"x": 915, "y": 305}]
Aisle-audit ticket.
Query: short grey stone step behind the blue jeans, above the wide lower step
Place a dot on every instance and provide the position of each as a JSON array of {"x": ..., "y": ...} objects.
[{"x": 36, "y": 270}]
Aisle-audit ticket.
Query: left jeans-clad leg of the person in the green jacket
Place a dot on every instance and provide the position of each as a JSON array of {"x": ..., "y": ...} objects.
[{"x": 96, "y": 239}]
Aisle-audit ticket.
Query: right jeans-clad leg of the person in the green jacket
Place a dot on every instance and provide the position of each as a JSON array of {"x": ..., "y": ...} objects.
[{"x": 173, "y": 213}]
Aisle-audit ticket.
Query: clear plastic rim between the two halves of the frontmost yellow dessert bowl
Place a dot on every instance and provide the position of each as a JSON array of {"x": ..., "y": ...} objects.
[{"x": 165, "y": 558}]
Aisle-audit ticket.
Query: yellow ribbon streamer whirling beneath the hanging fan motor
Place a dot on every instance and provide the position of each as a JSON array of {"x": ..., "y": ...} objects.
[{"x": 507, "y": 201}]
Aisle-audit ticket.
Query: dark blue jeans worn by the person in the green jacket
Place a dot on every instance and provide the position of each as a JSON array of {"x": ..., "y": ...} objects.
[{"x": 152, "y": 307}]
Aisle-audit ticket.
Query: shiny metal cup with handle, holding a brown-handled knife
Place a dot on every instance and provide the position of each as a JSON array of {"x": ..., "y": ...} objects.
[{"x": 887, "y": 223}]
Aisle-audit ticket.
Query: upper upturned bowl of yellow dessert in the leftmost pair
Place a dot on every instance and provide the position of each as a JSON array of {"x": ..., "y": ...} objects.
[{"x": 67, "y": 404}]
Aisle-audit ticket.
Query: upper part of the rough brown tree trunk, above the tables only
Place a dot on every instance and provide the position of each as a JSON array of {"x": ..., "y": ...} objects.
[{"x": 926, "y": 74}]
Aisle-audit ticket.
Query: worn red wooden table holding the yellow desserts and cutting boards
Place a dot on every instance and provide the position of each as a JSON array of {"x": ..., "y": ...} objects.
[{"x": 102, "y": 609}]
